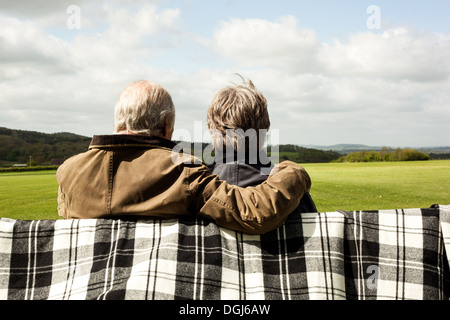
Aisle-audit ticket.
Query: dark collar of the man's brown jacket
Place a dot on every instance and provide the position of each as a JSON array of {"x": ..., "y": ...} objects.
[{"x": 122, "y": 140}]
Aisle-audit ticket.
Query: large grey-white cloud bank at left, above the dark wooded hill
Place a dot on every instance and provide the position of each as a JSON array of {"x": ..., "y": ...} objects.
[{"x": 61, "y": 85}]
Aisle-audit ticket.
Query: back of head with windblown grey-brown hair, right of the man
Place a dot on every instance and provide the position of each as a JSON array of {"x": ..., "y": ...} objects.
[{"x": 237, "y": 113}]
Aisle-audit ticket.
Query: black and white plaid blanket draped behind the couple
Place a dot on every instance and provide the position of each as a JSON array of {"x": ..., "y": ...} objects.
[{"x": 390, "y": 254}]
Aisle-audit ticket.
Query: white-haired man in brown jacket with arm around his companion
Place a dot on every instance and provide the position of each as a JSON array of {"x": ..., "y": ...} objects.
[{"x": 134, "y": 173}]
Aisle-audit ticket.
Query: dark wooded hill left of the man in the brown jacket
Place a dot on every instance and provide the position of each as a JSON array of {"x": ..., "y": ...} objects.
[{"x": 21, "y": 146}]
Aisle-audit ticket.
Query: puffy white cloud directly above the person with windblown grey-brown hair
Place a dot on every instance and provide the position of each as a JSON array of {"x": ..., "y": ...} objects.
[{"x": 256, "y": 42}]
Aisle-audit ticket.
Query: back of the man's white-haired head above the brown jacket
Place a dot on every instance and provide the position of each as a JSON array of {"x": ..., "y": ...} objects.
[{"x": 144, "y": 108}]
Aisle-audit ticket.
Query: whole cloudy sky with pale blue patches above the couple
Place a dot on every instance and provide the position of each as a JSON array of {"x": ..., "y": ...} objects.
[{"x": 355, "y": 71}]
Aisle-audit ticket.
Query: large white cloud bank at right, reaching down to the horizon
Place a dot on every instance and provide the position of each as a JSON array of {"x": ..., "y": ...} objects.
[{"x": 387, "y": 85}]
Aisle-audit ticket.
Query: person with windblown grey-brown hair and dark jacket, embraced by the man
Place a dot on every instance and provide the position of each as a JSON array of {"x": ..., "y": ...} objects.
[{"x": 238, "y": 121}]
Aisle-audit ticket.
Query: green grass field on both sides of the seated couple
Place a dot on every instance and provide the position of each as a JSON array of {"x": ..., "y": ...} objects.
[{"x": 336, "y": 186}]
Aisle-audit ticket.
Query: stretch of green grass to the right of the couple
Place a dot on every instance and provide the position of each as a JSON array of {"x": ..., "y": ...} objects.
[{"x": 379, "y": 185}]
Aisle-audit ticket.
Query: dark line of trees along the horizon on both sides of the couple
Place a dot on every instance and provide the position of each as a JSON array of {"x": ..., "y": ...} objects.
[{"x": 36, "y": 149}]
